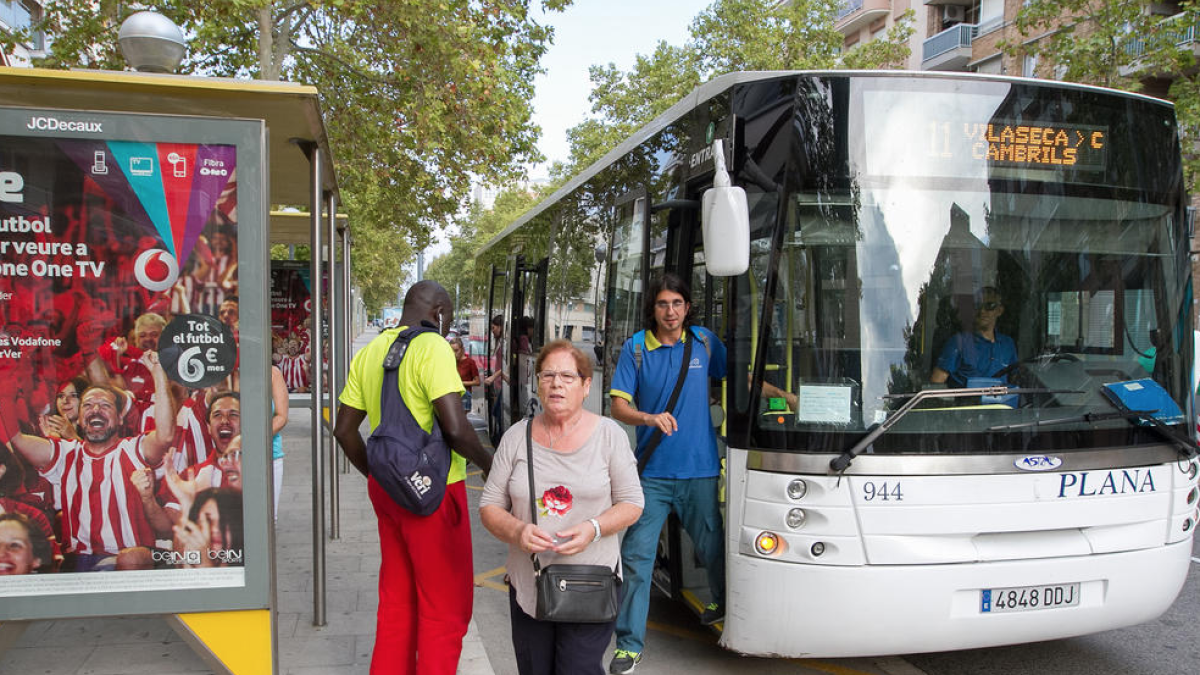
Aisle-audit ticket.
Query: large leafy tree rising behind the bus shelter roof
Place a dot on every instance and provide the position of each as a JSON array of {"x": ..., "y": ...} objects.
[{"x": 421, "y": 97}]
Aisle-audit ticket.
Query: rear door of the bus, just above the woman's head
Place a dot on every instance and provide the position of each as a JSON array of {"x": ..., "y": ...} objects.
[{"x": 529, "y": 331}]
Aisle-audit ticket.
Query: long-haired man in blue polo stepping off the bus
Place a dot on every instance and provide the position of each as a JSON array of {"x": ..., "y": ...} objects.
[{"x": 683, "y": 471}]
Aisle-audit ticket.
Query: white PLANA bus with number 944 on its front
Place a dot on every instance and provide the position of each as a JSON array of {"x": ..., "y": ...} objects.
[{"x": 889, "y": 513}]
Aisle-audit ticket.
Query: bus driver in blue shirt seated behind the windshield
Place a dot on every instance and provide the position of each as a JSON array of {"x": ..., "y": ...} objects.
[{"x": 982, "y": 353}]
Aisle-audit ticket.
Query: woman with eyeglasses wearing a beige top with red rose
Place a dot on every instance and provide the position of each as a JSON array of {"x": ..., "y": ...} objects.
[{"x": 587, "y": 492}]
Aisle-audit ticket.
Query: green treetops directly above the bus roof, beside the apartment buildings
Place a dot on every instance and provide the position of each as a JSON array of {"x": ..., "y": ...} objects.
[{"x": 730, "y": 35}]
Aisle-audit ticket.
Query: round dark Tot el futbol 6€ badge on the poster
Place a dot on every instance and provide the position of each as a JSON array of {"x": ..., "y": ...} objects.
[{"x": 197, "y": 351}]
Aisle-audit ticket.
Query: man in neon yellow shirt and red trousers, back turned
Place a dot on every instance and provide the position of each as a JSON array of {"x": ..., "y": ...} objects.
[{"x": 427, "y": 583}]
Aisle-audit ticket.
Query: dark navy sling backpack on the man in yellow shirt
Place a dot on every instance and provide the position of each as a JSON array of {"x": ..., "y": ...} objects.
[{"x": 407, "y": 462}]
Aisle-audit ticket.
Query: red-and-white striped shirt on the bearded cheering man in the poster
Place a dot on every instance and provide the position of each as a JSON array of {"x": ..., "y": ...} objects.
[{"x": 103, "y": 512}]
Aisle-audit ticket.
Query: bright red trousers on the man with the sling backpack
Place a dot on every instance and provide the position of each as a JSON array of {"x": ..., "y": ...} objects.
[{"x": 427, "y": 586}]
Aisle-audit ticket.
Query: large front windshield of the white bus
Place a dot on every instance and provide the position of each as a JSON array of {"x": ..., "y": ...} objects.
[{"x": 993, "y": 235}]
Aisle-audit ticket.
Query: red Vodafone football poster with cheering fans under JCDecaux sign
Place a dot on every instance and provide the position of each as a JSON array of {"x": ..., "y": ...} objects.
[{"x": 121, "y": 410}]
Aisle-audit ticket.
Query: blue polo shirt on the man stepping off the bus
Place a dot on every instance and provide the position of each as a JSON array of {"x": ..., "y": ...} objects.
[{"x": 692, "y": 451}]
